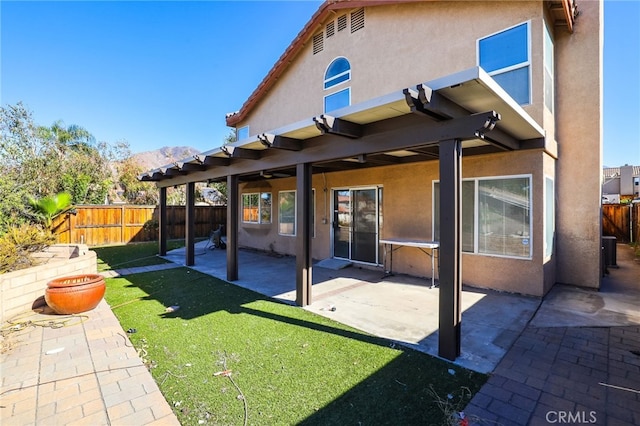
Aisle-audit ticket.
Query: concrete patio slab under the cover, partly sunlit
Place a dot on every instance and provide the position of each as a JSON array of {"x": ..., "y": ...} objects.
[{"x": 401, "y": 308}]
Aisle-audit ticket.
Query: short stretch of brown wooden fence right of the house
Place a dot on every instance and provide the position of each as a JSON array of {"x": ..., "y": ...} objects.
[{"x": 621, "y": 221}]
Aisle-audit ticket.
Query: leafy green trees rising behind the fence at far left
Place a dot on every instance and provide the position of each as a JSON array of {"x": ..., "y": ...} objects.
[{"x": 42, "y": 161}]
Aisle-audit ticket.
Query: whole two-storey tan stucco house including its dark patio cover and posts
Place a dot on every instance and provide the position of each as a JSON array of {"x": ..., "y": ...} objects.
[{"x": 468, "y": 124}]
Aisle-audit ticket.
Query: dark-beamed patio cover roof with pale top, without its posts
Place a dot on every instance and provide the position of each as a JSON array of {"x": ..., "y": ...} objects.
[{"x": 401, "y": 127}]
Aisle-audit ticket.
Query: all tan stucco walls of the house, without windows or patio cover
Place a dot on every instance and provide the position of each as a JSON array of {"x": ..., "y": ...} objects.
[{"x": 402, "y": 45}]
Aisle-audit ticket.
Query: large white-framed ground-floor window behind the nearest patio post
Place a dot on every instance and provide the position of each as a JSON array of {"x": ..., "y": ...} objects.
[{"x": 496, "y": 216}]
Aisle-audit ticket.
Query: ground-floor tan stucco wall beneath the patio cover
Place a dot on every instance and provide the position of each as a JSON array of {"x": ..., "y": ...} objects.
[{"x": 407, "y": 213}]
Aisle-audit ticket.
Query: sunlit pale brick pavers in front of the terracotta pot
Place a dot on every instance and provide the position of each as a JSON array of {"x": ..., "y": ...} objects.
[{"x": 86, "y": 373}]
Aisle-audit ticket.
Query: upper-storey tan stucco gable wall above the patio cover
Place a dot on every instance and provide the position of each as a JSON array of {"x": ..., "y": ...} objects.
[{"x": 408, "y": 44}]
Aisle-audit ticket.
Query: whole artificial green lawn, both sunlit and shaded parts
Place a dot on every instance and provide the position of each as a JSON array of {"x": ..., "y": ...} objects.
[{"x": 292, "y": 366}]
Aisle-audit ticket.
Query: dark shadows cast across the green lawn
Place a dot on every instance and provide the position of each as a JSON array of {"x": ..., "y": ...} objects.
[{"x": 398, "y": 393}]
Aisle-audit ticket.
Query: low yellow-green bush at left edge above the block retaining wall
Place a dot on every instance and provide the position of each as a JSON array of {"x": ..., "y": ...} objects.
[{"x": 19, "y": 242}]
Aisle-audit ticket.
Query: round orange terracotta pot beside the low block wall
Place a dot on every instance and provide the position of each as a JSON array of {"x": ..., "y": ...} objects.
[{"x": 75, "y": 294}]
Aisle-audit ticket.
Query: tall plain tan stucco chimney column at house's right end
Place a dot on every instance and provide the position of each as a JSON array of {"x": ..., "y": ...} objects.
[{"x": 579, "y": 135}]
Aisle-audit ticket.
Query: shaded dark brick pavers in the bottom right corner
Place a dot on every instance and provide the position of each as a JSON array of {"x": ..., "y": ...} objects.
[{"x": 575, "y": 375}]
